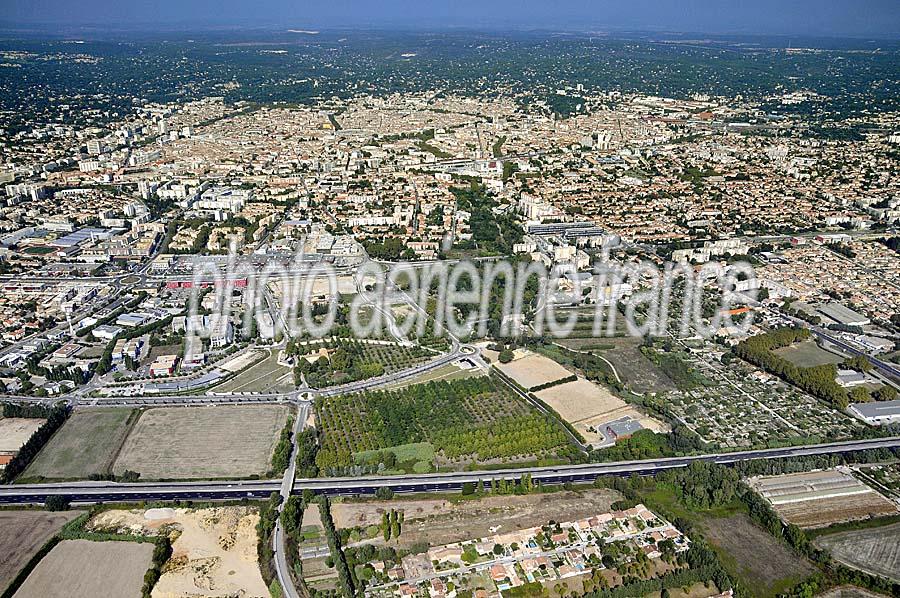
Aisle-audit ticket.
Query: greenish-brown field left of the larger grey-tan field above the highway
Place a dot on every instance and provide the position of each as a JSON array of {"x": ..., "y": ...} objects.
[{"x": 86, "y": 444}]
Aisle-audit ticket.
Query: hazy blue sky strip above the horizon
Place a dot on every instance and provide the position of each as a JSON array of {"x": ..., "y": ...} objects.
[{"x": 837, "y": 18}]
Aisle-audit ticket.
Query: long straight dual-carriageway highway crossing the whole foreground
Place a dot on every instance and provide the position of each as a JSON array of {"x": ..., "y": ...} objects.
[{"x": 94, "y": 492}]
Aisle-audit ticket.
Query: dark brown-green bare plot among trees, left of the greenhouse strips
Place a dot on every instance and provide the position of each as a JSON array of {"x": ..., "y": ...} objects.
[{"x": 765, "y": 565}]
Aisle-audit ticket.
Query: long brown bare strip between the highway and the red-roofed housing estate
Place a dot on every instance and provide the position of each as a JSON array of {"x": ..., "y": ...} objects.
[{"x": 439, "y": 521}]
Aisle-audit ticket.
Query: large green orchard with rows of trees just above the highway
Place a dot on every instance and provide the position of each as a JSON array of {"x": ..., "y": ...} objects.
[{"x": 464, "y": 420}]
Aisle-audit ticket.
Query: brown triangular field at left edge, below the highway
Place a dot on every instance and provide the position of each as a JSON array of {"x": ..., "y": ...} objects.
[{"x": 22, "y": 534}]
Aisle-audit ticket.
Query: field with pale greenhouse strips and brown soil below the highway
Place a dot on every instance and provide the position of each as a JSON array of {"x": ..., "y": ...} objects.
[{"x": 821, "y": 498}]
